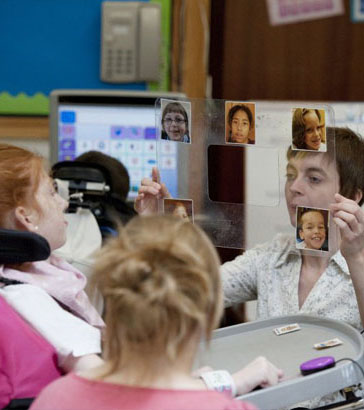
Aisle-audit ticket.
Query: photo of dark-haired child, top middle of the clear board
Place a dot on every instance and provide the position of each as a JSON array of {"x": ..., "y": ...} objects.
[{"x": 239, "y": 122}]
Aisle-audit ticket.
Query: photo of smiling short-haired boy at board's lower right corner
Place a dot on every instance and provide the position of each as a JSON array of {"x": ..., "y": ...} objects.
[{"x": 312, "y": 229}]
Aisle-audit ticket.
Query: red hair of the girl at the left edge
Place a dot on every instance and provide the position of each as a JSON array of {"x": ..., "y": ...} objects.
[{"x": 21, "y": 172}]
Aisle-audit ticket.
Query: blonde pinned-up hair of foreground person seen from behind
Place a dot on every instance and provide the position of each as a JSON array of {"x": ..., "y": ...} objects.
[{"x": 161, "y": 285}]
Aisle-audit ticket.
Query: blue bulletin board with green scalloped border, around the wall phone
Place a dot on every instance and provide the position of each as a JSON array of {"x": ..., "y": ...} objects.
[{"x": 46, "y": 45}]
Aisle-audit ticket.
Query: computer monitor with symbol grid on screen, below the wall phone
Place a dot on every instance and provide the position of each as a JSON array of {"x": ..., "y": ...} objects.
[{"x": 121, "y": 124}]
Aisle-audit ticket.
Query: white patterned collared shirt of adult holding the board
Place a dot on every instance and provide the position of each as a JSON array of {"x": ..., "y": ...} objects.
[{"x": 270, "y": 274}]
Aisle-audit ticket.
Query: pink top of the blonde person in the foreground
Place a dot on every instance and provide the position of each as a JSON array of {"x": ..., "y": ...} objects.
[{"x": 75, "y": 392}]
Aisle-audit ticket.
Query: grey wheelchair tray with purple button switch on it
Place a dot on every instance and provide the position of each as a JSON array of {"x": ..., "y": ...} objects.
[{"x": 234, "y": 347}]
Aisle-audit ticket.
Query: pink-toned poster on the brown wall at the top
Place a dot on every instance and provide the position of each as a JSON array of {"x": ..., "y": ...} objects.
[{"x": 294, "y": 11}]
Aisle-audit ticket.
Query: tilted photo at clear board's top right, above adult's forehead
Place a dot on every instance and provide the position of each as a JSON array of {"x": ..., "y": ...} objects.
[{"x": 308, "y": 129}]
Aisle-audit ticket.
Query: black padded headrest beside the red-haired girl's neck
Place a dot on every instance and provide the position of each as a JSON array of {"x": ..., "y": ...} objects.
[{"x": 22, "y": 246}]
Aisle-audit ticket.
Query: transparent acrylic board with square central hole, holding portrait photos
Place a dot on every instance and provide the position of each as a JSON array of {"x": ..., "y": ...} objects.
[{"x": 262, "y": 212}]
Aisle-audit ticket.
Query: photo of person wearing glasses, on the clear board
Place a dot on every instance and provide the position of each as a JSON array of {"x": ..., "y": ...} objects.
[{"x": 176, "y": 120}]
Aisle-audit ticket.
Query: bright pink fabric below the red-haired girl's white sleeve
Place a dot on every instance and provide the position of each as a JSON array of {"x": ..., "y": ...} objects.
[{"x": 27, "y": 361}]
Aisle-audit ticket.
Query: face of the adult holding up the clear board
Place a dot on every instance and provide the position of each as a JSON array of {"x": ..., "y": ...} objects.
[{"x": 311, "y": 182}]
